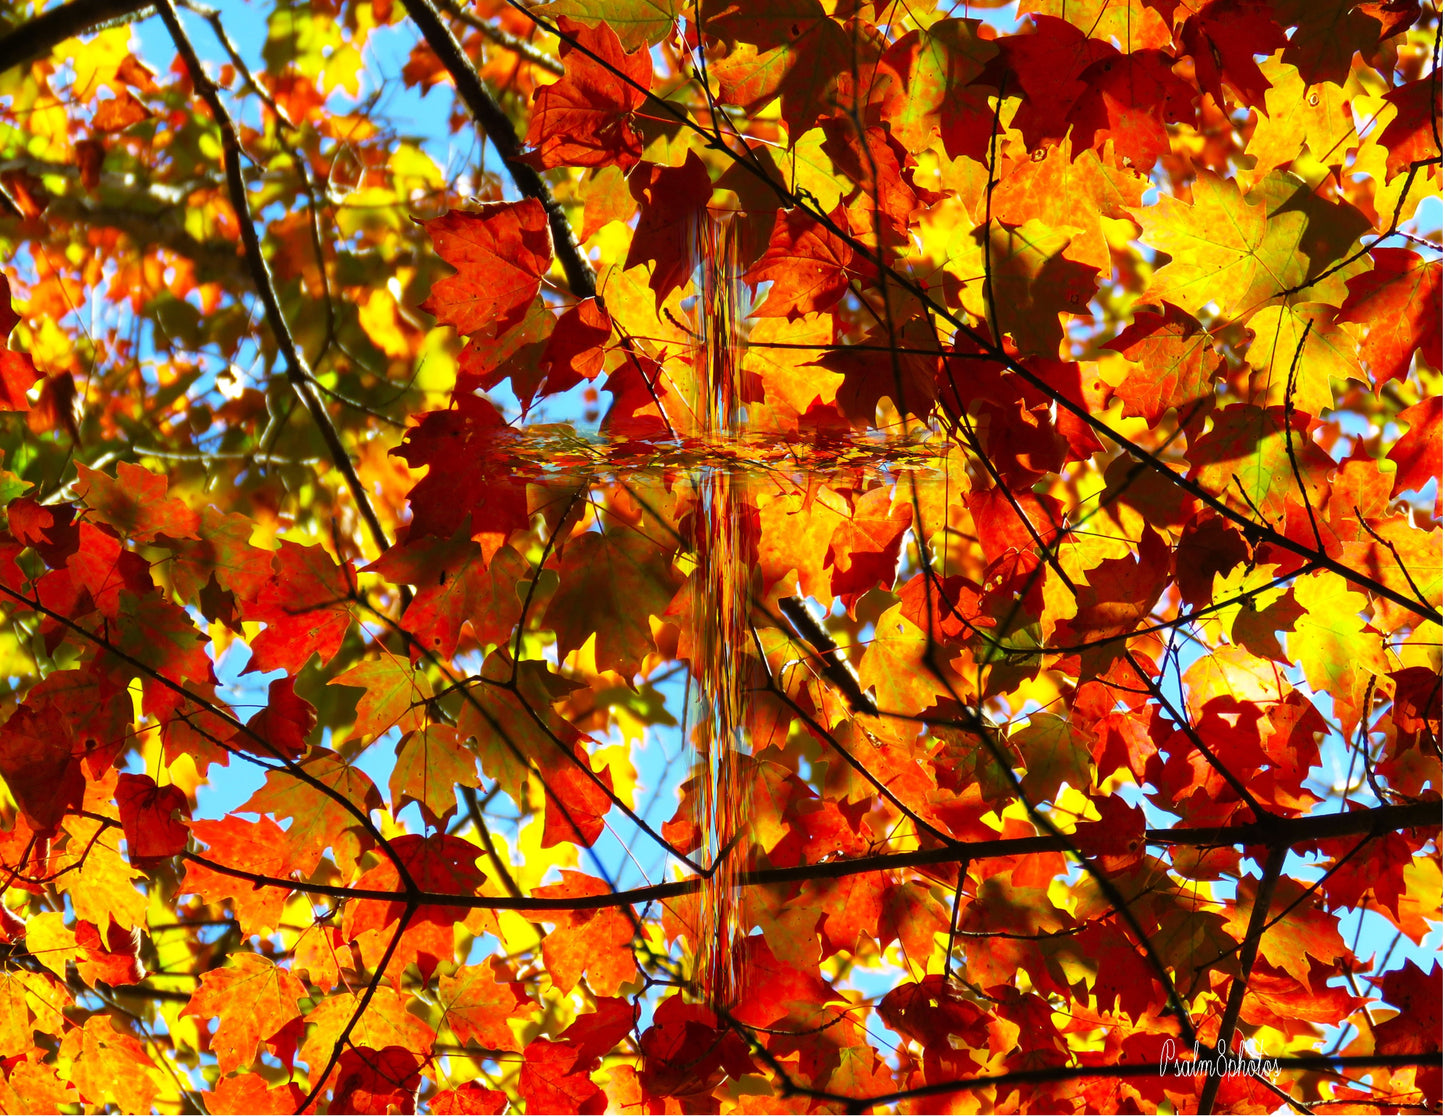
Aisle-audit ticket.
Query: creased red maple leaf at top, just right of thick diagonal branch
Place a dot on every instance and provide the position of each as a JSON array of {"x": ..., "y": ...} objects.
[{"x": 585, "y": 121}]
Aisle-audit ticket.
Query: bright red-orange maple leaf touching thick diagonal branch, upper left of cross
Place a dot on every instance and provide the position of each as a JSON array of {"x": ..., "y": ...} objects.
[{"x": 501, "y": 254}]
